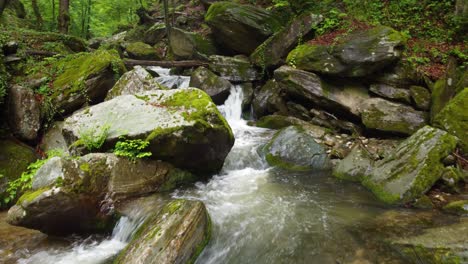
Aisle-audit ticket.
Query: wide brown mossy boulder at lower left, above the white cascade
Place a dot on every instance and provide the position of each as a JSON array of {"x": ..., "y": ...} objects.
[{"x": 70, "y": 195}]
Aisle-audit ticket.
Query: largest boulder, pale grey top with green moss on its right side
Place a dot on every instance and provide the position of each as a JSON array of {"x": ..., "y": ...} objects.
[{"x": 184, "y": 127}]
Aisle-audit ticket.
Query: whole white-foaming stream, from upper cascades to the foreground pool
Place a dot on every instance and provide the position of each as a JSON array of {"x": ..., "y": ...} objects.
[{"x": 259, "y": 214}]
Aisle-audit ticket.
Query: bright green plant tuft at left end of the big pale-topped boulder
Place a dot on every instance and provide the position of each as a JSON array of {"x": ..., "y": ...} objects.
[{"x": 92, "y": 138}]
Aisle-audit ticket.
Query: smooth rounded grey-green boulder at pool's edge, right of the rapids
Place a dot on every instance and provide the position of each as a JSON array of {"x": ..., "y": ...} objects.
[{"x": 294, "y": 148}]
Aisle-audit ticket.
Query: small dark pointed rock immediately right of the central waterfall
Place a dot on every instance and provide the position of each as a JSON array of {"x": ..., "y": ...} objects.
[{"x": 268, "y": 100}]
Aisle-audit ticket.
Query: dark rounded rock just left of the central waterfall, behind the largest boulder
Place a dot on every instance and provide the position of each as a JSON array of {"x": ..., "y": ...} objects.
[{"x": 216, "y": 87}]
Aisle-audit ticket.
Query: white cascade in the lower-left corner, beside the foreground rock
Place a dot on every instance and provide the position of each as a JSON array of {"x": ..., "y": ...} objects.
[{"x": 91, "y": 250}]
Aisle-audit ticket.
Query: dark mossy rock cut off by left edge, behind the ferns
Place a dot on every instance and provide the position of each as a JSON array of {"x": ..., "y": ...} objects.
[{"x": 14, "y": 159}]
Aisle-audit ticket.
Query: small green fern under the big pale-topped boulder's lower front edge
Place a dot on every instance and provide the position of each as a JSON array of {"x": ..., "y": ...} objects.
[{"x": 132, "y": 148}]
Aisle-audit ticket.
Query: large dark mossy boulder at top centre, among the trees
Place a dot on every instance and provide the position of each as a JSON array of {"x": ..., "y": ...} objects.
[{"x": 240, "y": 28}]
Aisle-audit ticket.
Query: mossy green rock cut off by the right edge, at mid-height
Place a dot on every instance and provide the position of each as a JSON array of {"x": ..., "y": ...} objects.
[{"x": 454, "y": 118}]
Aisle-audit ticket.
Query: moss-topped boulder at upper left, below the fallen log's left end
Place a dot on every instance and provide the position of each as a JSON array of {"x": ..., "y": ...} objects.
[{"x": 85, "y": 78}]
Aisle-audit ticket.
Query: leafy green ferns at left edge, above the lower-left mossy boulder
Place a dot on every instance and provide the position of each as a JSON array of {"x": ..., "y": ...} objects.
[{"x": 24, "y": 183}]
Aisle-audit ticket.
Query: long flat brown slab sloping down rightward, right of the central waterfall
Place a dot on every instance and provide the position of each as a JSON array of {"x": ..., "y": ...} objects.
[{"x": 308, "y": 87}]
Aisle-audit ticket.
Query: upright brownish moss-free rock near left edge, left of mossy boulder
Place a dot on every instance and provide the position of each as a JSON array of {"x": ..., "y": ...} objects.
[{"x": 24, "y": 113}]
